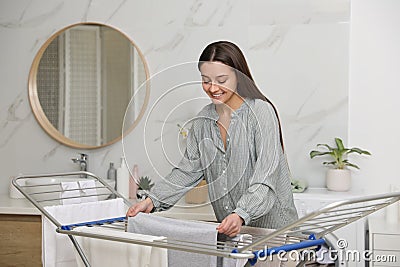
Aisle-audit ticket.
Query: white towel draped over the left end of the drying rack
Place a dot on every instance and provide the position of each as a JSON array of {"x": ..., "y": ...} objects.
[{"x": 57, "y": 249}]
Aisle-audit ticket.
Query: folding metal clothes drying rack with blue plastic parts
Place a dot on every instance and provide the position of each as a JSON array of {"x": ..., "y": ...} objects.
[{"x": 303, "y": 235}]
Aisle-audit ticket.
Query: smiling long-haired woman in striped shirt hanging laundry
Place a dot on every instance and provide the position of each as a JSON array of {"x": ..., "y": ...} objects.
[{"x": 235, "y": 143}]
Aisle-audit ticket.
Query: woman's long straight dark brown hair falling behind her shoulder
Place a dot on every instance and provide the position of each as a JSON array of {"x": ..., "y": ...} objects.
[{"x": 231, "y": 55}]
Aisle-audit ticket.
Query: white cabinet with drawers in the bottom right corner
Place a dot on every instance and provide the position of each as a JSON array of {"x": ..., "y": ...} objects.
[{"x": 384, "y": 243}]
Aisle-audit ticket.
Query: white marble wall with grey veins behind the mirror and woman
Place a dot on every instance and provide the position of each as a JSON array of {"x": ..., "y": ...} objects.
[{"x": 297, "y": 51}]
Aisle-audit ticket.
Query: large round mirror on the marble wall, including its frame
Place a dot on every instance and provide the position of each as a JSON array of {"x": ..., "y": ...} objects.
[{"x": 81, "y": 82}]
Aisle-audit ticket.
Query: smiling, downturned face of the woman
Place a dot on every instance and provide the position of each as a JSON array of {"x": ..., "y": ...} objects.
[{"x": 219, "y": 81}]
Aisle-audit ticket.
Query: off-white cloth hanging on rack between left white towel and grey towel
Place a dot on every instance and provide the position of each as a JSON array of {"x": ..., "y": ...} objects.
[{"x": 110, "y": 253}]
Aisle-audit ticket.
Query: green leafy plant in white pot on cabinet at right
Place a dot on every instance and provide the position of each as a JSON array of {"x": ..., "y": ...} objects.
[{"x": 338, "y": 178}]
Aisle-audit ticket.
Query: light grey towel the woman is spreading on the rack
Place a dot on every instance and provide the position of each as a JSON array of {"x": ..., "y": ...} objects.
[{"x": 190, "y": 231}]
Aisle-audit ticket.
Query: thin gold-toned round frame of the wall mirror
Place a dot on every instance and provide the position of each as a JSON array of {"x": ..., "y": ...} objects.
[{"x": 39, "y": 112}]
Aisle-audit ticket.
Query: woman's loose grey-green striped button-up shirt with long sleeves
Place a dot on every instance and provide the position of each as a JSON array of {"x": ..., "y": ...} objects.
[{"x": 249, "y": 177}]
